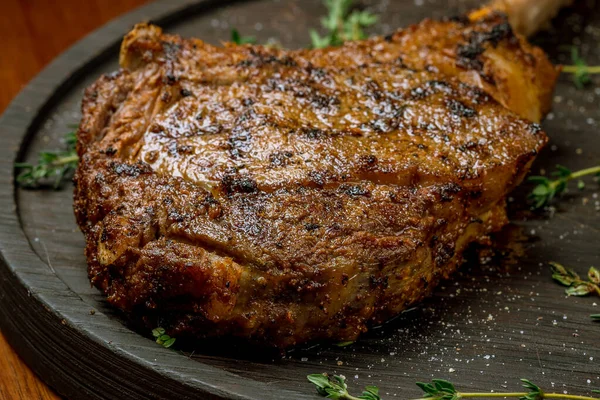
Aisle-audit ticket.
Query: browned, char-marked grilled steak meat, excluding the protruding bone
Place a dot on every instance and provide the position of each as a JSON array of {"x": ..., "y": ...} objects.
[{"x": 288, "y": 196}]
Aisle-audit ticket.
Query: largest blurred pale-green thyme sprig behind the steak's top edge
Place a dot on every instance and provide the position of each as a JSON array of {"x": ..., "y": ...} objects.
[{"x": 342, "y": 23}]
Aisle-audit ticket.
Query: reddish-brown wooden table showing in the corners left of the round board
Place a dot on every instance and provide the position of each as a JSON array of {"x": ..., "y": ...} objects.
[{"x": 33, "y": 32}]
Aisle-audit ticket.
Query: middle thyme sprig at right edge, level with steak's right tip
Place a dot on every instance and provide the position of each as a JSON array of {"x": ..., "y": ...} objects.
[{"x": 547, "y": 189}]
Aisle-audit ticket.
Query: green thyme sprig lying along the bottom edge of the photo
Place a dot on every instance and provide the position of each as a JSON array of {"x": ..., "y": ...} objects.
[{"x": 334, "y": 387}]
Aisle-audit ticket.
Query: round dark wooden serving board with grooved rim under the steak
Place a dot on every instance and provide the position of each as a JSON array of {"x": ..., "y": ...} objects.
[{"x": 501, "y": 318}]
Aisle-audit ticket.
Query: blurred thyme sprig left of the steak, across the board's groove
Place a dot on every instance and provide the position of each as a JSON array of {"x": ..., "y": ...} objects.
[{"x": 53, "y": 166}]
